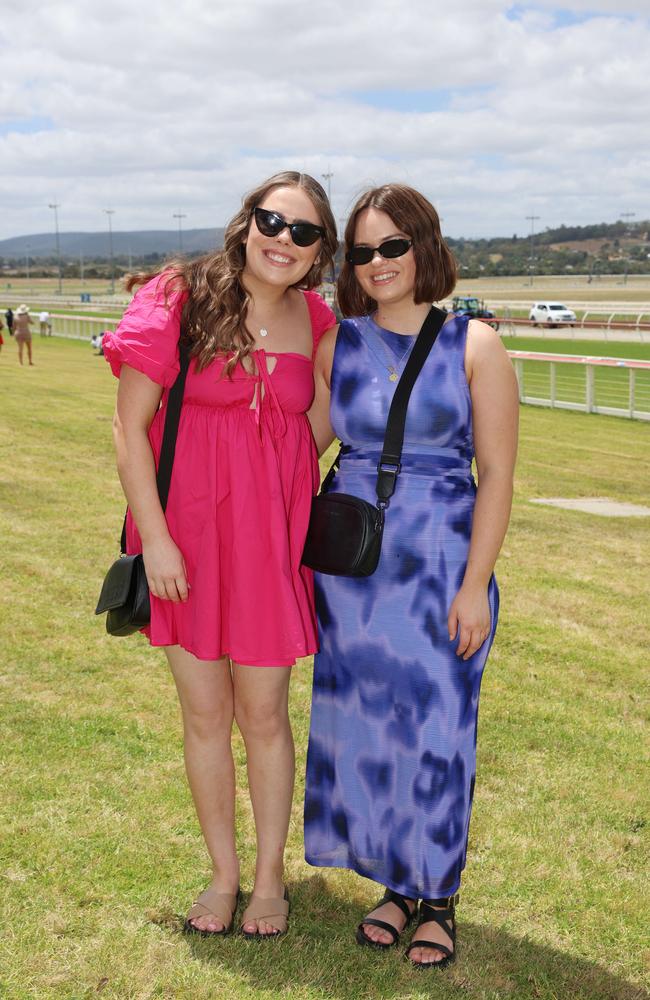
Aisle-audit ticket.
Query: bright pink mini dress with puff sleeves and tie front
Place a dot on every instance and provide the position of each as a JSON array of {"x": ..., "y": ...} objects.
[{"x": 245, "y": 471}]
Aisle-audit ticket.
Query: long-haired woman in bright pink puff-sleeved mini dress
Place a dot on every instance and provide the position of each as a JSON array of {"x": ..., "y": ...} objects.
[{"x": 229, "y": 597}]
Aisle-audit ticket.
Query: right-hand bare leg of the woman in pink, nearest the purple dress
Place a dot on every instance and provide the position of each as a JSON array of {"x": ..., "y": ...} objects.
[{"x": 262, "y": 714}]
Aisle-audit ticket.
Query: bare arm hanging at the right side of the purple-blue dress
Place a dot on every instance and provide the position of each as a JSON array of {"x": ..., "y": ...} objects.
[{"x": 495, "y": 407}]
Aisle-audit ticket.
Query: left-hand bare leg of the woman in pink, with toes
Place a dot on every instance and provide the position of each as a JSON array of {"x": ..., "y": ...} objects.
[{"x": 205, "y": 692}]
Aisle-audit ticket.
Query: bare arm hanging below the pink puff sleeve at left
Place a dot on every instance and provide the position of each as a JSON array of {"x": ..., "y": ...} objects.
[{"x": 138, "y": 399}]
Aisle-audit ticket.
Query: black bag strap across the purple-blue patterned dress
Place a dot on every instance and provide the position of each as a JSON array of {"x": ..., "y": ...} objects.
[{"x": 389, "y": 465}]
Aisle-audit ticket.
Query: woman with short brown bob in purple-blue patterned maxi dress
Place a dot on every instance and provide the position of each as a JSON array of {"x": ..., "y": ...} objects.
[{"x": 392, "y": 749}]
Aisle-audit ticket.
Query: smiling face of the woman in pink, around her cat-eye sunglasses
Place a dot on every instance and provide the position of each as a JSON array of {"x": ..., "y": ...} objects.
[{"x": 276, "y": 260}]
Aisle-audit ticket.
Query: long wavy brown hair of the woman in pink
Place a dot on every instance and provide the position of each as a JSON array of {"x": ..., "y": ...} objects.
[{"x": 213, "y": 319}]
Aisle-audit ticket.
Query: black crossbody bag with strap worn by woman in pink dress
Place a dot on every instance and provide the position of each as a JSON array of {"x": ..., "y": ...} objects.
[{"x": 125, "y": 591}]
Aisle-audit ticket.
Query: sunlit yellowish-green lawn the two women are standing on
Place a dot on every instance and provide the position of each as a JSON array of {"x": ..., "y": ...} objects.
[{"x": 100, "y": 852}]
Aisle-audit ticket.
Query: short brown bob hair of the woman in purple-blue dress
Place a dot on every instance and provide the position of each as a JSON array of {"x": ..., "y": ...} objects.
[{"x": 415, "y": 216}]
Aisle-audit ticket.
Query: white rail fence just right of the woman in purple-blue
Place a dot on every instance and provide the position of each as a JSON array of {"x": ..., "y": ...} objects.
[{"x": 619, "y": 387}]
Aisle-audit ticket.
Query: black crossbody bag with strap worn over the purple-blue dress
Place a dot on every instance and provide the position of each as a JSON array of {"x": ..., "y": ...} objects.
[{"x": 345, "y": 532}]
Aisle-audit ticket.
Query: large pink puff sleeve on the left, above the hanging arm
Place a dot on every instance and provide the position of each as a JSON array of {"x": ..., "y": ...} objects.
[{"x": 146, "y": 337}]
